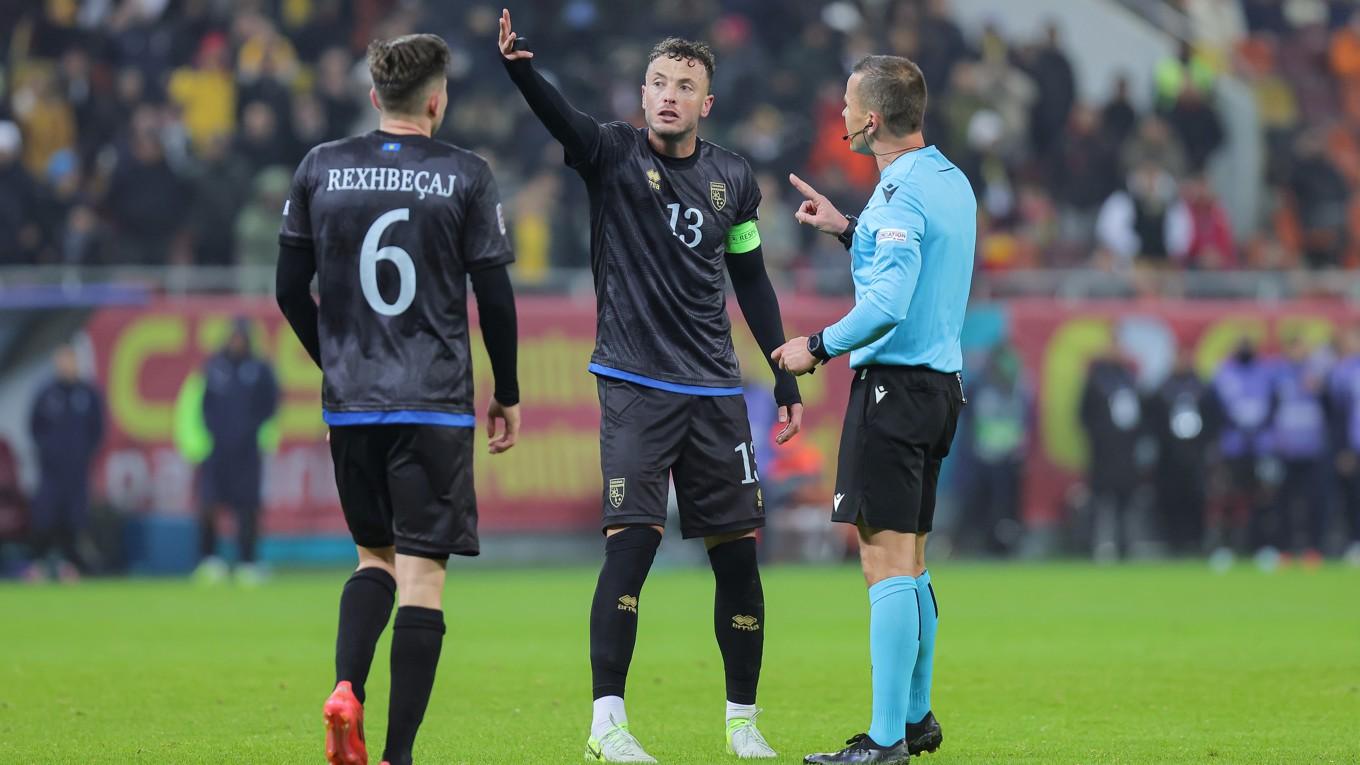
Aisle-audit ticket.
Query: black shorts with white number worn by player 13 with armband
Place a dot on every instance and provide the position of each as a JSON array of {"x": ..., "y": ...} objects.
[{"x": 648, "y": 435}]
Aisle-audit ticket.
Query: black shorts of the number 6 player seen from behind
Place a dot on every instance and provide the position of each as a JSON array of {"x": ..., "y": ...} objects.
[{"x": 407, "y": 485}]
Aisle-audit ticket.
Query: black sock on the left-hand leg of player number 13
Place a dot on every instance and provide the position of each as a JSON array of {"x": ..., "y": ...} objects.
[{"x": 614, "y": 615}]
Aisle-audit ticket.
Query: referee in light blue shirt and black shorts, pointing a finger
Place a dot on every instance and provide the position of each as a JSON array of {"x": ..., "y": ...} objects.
[{"x": 912, "y": 258}]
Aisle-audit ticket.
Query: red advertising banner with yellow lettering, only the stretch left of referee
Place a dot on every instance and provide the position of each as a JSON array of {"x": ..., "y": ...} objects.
[{"x": 550, "y": 481}]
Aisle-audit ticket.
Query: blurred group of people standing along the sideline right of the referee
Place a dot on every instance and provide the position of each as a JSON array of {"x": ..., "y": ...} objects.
[{"x": 1260, "y": 457}]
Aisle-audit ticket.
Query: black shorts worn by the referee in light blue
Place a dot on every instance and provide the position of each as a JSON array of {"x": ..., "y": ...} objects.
[{"x": 900, "y": 427}]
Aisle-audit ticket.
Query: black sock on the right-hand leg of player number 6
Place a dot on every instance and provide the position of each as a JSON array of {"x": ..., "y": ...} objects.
[{"x": 417, "y": 638}]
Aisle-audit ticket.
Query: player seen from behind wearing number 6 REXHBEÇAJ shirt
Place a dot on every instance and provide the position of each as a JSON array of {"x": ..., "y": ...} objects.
[{"x": 394, "y": 224}]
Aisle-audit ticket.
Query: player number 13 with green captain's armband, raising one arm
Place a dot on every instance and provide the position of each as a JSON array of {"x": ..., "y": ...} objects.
[{"x": 668, "y": 212}]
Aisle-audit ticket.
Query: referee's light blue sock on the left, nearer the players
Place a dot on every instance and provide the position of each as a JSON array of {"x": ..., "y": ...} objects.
[{"x": 894, "y": 643}]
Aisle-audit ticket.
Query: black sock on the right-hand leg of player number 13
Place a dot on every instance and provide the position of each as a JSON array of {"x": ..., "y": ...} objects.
[{"x": 739, "y": 616}]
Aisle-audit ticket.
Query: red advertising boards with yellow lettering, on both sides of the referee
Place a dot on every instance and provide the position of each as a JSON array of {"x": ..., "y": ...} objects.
[{"x": 551, "y": 480}]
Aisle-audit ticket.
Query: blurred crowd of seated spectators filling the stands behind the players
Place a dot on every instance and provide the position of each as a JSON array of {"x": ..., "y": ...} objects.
[{"x": 167, "y": 131}]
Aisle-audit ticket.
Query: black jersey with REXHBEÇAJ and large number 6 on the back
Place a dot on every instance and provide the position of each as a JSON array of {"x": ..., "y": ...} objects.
[{"x": 396, "y": 224}]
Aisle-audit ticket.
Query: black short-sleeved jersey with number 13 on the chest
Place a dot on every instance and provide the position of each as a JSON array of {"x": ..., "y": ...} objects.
[{"x": 659, "y": 235}]
